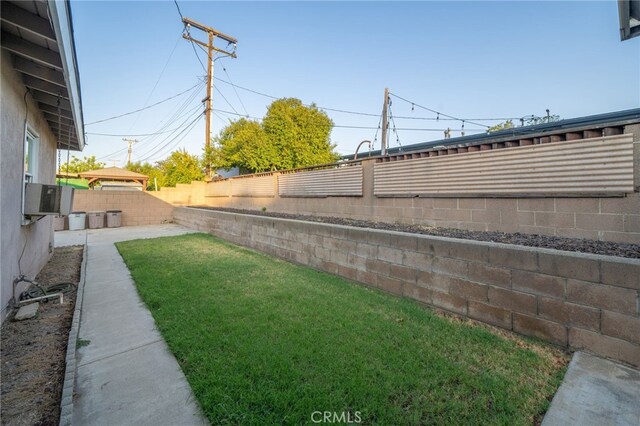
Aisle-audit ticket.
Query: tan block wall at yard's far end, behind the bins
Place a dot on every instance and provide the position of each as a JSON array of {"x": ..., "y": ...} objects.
[{"x": 138, "y": 208}]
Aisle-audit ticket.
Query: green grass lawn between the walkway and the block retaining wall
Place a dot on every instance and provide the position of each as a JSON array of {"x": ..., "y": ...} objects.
[{"x": 263, "y": 341}]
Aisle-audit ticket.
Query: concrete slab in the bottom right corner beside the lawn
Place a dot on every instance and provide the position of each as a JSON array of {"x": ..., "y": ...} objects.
[{"x": 596, "y": 392}]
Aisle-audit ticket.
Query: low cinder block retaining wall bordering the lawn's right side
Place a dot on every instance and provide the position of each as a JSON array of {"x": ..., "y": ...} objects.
[{"x": 570, "y": 299}]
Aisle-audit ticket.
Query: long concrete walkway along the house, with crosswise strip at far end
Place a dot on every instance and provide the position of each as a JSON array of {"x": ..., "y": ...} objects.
[{"x": 126, "y": 374}]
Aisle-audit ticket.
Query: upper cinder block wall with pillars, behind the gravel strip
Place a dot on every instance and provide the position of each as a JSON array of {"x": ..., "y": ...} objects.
[{"x": 599, "y": 218}]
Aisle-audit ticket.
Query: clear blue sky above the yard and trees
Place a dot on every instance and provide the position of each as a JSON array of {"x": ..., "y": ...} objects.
[{"x": 465, "y": 59}]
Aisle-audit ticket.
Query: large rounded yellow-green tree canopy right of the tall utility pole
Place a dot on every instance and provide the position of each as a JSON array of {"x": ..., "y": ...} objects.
[{"x": 291, "y": 135}]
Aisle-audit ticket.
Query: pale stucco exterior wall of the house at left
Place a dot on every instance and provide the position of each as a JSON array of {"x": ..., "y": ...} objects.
[{"x": 36, "y": 239}]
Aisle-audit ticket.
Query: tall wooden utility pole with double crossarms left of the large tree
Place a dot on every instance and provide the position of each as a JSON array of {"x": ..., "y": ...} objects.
[{"x": 210, "y": 48}]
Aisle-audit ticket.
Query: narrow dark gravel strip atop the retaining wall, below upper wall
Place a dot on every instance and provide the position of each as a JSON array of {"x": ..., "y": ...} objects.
[{"x": 606, "y": 248}]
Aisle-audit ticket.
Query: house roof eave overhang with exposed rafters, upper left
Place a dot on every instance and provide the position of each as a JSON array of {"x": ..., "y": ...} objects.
[{"x": 39, "y": 36}]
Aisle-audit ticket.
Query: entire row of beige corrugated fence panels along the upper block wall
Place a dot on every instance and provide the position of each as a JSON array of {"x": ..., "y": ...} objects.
[{"x": 602, "y": 165}]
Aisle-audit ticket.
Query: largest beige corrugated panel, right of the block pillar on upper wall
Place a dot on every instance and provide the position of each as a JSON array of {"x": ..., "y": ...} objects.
[{"x": 600, "y": 165}]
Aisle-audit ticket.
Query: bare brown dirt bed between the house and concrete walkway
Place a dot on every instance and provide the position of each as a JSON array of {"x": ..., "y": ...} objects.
[{"x": 33, "y": 351}]
